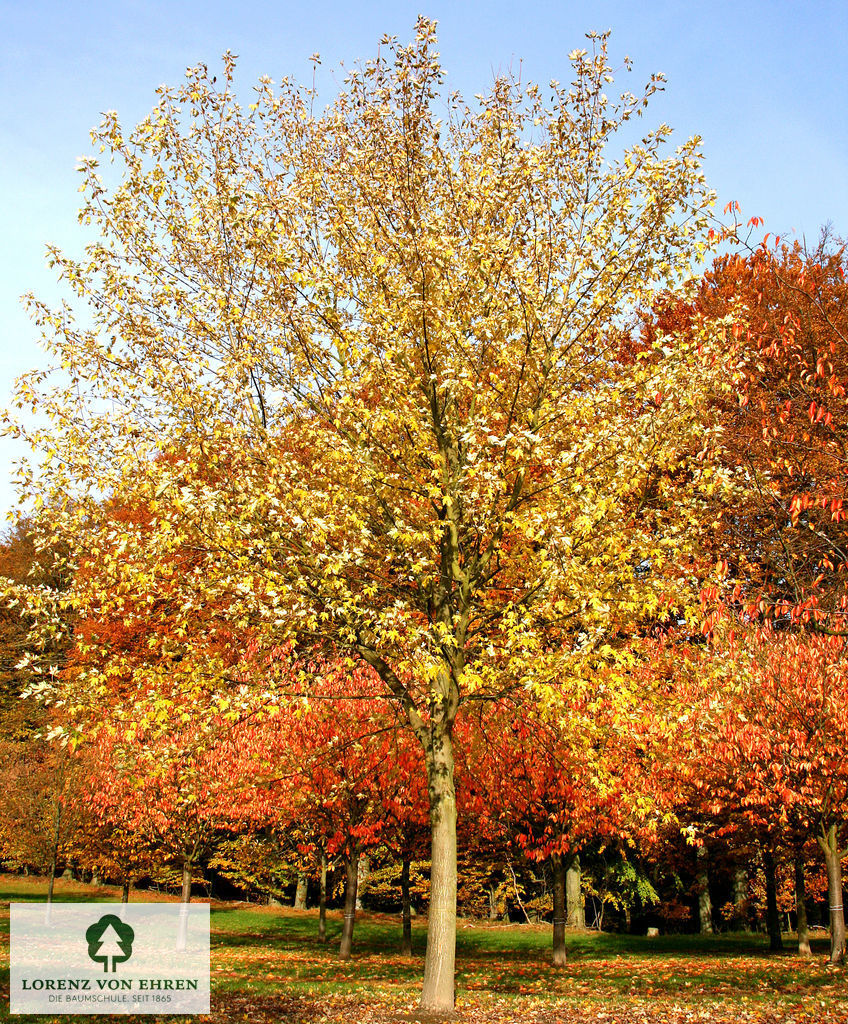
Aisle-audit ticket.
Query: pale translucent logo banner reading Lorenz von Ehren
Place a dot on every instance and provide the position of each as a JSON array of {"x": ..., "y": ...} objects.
[{"x": 109, "y": 959}]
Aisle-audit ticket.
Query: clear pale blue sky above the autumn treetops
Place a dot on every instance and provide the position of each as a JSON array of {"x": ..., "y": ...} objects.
[{"x": 765, "y": 82}]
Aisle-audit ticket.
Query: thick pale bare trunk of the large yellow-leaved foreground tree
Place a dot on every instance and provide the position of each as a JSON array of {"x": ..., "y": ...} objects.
[{"x": 438, "y": 992}]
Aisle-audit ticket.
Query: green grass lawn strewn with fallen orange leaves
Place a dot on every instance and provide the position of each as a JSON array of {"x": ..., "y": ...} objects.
[{"x": 269, "y": 968}]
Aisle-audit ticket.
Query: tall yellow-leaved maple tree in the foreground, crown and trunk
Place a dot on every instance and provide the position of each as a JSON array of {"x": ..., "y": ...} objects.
[{"x": 366, "y": 369}]
